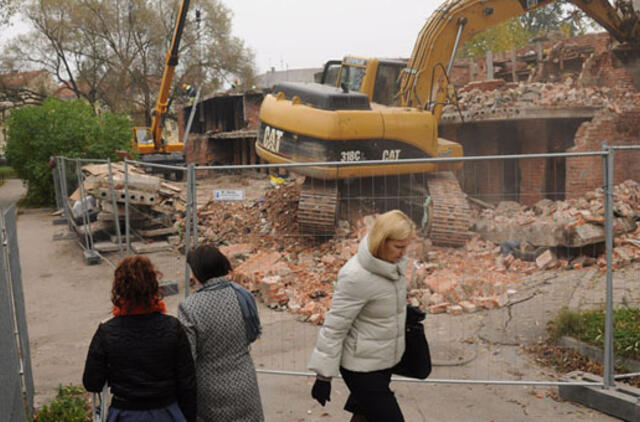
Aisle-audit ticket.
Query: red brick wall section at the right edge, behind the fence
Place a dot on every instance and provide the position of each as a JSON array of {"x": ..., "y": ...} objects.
[{"x": 585, "y": 173}]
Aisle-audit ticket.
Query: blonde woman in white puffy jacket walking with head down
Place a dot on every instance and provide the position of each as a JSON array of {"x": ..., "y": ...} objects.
[{"x": 363, "y": 332}]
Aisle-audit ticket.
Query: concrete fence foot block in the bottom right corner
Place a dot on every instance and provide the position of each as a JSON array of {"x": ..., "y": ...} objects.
[{"x": 621, "y": 401}]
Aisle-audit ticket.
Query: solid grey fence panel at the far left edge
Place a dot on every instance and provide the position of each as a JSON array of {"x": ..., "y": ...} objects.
[{"x": 12, "y": 406}]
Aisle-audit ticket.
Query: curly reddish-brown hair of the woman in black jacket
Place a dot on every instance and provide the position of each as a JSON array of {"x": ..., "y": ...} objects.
[{"x": 135, "y": 283}]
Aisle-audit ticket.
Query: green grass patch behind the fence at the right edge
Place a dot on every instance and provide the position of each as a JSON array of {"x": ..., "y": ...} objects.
[{"x": 588, "y": 326}]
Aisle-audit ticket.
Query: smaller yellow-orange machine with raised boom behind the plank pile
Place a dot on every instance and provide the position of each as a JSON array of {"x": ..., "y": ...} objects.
[{"x": 148, "y": 142}]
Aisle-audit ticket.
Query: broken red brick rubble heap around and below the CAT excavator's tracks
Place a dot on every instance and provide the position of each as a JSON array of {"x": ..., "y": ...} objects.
[{"x": 291, "y": 272}]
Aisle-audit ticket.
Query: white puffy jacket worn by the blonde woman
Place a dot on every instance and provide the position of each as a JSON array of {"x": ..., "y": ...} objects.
[{"x": 364, "y": 329}]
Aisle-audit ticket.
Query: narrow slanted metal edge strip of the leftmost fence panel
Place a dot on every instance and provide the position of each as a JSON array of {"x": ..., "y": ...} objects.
[{"x": 18, "y": 300}]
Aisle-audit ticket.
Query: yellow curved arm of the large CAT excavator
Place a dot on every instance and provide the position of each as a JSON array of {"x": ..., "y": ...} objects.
[{"x": 425, "y": 80}]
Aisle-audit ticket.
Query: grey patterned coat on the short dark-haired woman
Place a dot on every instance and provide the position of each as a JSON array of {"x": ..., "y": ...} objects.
[{"x": 226, "y": 378}]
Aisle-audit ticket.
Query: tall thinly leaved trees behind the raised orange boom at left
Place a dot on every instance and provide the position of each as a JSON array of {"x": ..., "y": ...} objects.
[{"x": 112, "y": 52}]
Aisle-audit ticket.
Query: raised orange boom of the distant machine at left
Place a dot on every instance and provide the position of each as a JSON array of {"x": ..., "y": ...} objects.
[{"x": 171, "y": 61}]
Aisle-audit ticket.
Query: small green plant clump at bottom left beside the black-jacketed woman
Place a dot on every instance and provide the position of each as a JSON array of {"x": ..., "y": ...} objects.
[{"x": 70, "y": 405}]
